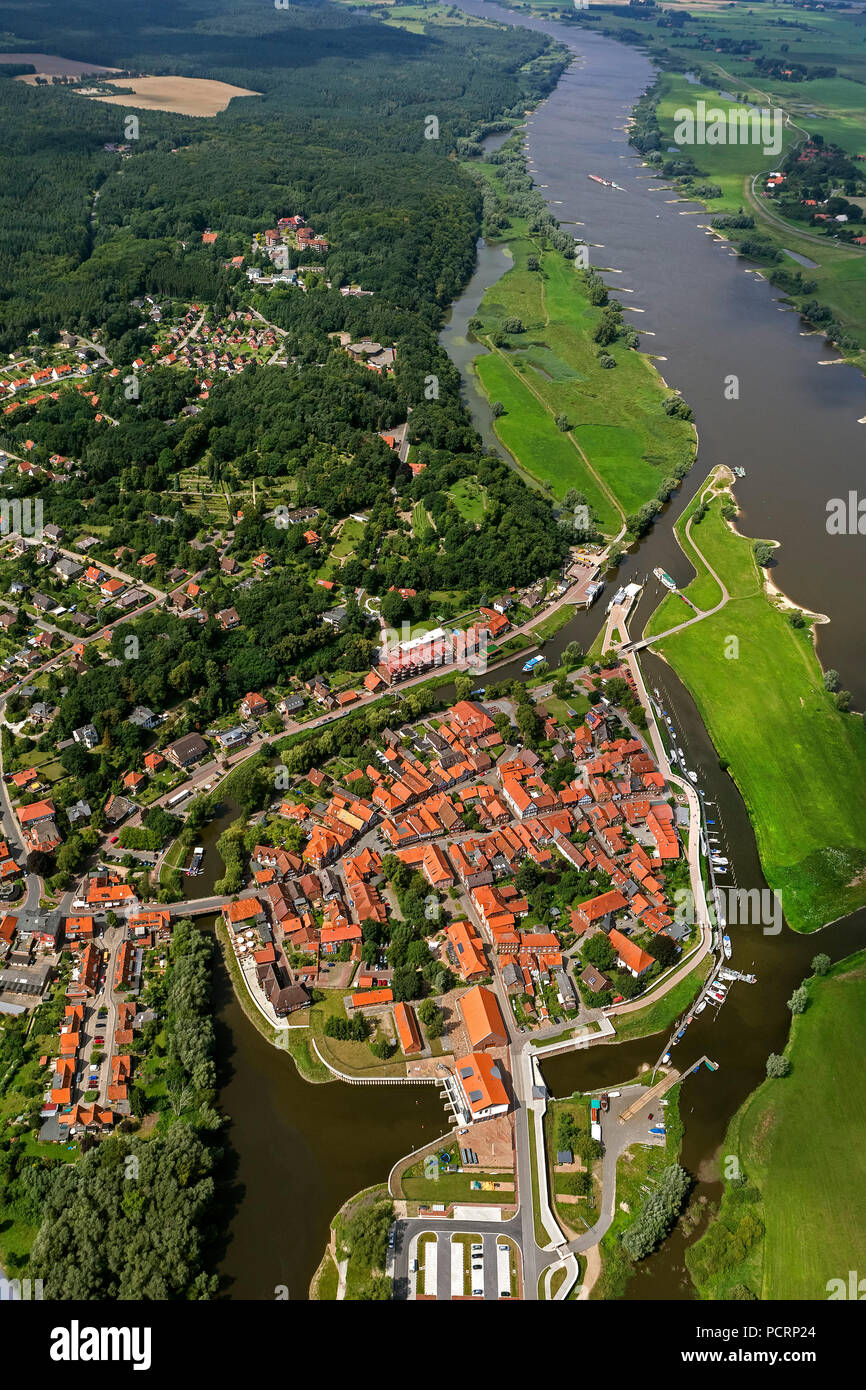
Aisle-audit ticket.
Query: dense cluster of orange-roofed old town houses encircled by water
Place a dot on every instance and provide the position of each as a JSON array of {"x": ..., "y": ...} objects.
[{"x": 612, "y": 819}]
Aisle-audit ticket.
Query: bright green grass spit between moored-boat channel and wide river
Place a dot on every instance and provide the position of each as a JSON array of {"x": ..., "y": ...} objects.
[{"x": 771, "y": 718}]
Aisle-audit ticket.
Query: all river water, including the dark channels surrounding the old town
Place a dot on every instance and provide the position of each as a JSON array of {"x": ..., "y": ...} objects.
[{"x": 304, "y": 1150}]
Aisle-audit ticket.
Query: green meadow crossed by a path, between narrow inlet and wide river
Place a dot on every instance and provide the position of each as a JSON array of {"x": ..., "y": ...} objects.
[{"x": 553, "y": 369}]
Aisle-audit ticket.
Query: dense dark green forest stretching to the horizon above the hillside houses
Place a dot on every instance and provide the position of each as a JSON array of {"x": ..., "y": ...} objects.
[{"x": 338, "y": 134}]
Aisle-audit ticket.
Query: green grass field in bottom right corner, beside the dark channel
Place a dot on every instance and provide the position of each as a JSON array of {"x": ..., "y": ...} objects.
[{"x": 799, "y": 1143}]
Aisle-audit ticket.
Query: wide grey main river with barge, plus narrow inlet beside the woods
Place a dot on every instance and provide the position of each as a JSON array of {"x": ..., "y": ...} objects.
[{"x": 794, "y": 427}]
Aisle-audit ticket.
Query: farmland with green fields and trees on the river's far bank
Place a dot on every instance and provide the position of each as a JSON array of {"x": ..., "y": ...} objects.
[{"x": 715, "y": 62}]
